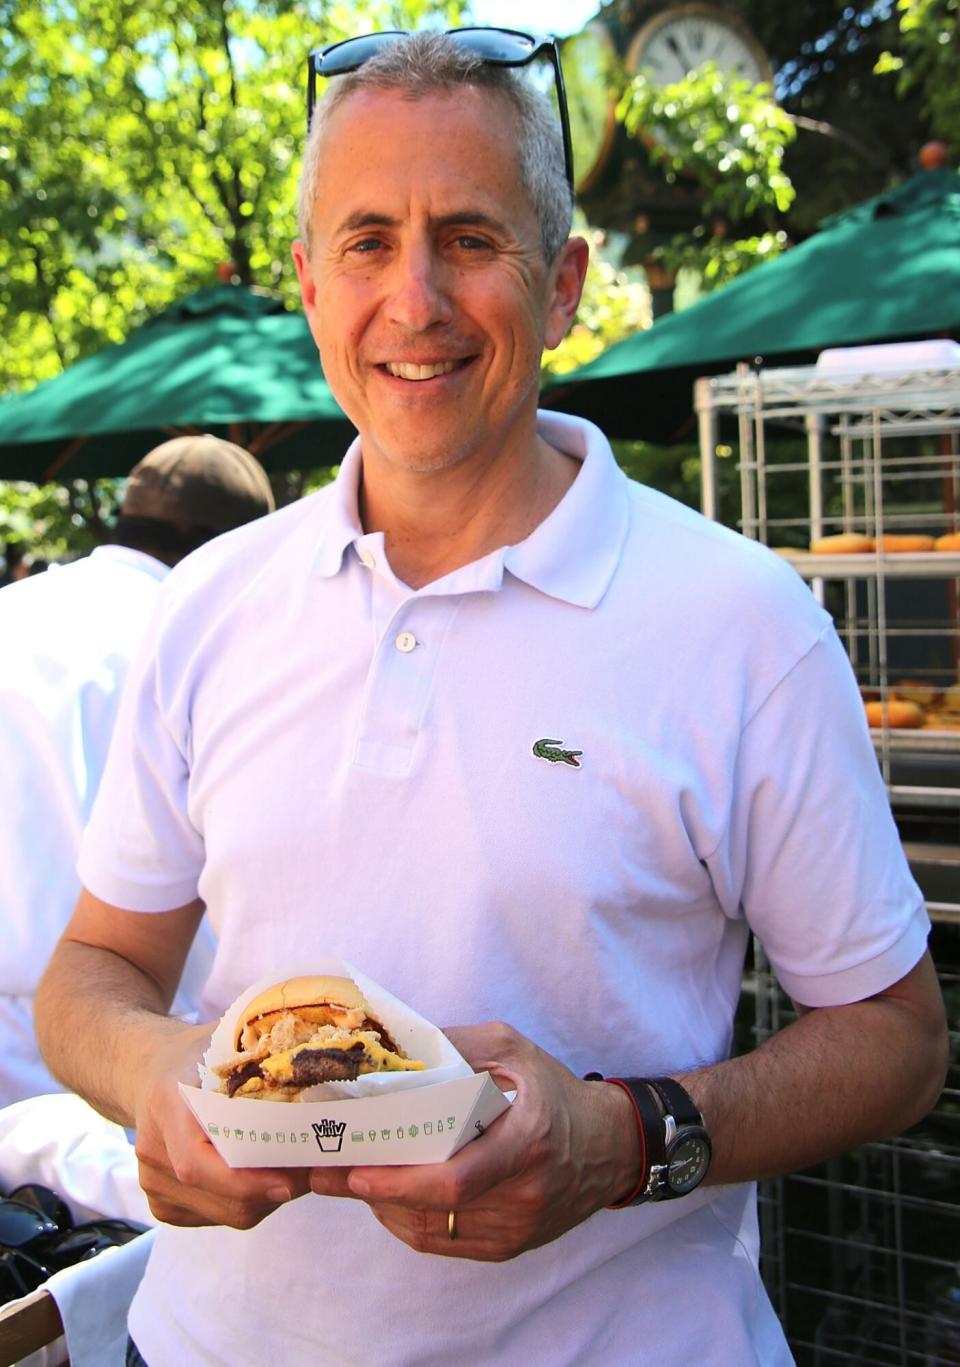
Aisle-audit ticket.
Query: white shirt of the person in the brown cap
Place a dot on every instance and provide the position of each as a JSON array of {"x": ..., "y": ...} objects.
[{"x": 66, "y": 642}]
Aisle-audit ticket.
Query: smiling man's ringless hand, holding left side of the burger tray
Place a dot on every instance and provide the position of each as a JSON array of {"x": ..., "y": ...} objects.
[{"x": 185, "y": 1179}]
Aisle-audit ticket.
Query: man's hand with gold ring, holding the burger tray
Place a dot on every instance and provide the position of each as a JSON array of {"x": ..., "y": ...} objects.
[{"x": 563, "y": 1152}]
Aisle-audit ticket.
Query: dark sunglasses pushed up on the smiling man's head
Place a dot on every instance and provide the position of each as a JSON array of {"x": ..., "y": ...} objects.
[{"x": 496, "y": 47}]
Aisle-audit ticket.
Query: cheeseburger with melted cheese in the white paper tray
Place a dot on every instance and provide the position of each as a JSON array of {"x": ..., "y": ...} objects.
[{"x": 303, "y": 1033}]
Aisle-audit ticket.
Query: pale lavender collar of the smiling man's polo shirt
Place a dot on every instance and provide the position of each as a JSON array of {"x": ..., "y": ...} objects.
[{"x": 572, "y": 556}]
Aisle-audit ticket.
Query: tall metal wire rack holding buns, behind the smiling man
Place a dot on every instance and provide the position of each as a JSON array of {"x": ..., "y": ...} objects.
[{"x": 862, "y": 1254}]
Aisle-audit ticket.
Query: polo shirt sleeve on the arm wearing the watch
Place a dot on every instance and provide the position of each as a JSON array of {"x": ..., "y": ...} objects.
[{"x": 813, "y": 858}]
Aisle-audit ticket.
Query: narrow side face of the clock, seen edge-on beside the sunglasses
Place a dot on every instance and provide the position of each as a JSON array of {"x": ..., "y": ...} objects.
[{"x": 590, "y": 64}]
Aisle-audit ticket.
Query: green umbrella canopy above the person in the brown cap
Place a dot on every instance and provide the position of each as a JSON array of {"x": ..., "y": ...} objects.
[{"x": 226, "y": 360}]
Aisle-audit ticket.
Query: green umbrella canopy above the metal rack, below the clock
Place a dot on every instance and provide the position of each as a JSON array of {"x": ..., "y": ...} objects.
[{"x": 887, "y": 270}]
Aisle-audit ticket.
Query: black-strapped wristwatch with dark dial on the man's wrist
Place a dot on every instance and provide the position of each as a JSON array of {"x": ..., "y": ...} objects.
[{"x": 676, "y": 1145}]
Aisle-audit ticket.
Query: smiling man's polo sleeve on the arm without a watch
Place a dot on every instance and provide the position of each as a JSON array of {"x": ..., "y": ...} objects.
[{"x": 140, "y": 850}]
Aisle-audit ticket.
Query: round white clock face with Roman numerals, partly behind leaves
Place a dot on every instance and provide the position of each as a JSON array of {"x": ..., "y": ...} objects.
[{"x": 684, "y": 36}]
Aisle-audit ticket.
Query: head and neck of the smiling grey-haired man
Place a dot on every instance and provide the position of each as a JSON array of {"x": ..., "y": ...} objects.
[{"x": 431, "y": 297}]
